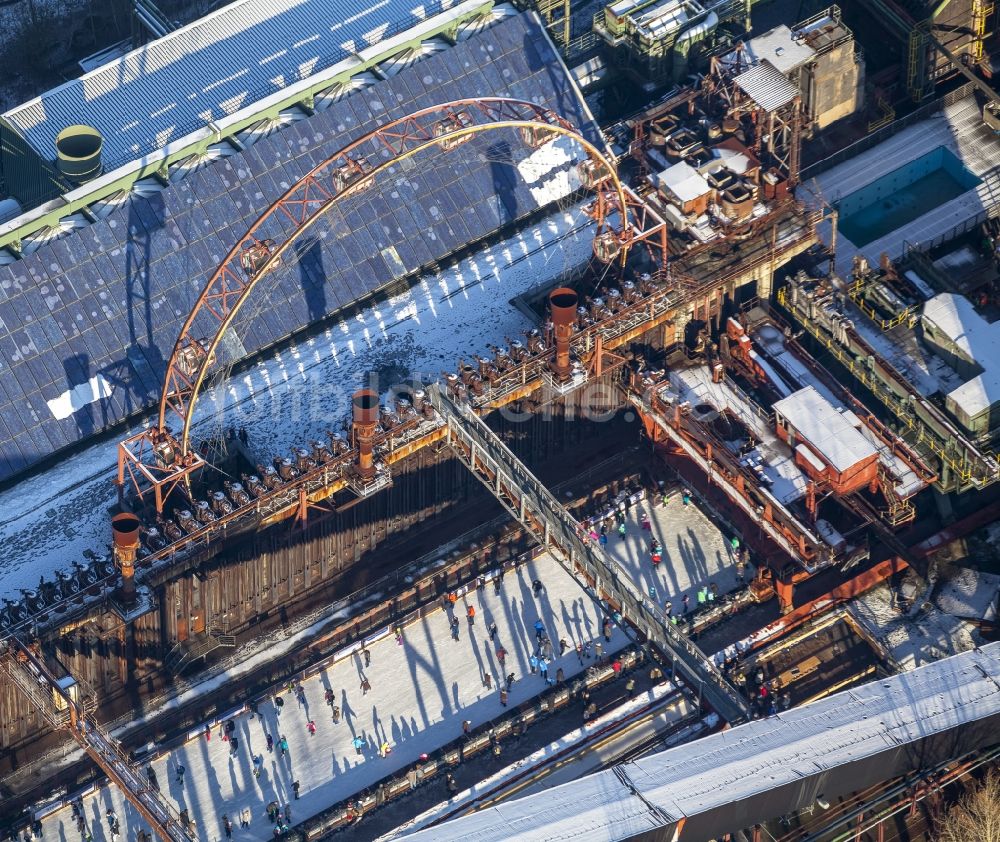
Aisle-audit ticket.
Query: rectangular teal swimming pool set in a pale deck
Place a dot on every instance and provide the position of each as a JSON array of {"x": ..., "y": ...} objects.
[{"x": 904, "y": 194}]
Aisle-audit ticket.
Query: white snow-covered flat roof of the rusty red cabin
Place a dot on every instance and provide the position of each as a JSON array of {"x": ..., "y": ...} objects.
[{"x": 825, "y": 428}]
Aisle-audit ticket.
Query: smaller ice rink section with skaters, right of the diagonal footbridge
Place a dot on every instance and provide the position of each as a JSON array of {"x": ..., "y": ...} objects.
[{"x": 694, "y": 552}]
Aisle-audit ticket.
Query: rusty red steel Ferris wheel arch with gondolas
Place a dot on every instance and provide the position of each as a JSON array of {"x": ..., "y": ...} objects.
[{"x": 349, "y": 171}]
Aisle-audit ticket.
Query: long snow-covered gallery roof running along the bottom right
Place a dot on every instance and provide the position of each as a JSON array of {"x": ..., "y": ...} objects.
[{"x": 729, "y": 770}]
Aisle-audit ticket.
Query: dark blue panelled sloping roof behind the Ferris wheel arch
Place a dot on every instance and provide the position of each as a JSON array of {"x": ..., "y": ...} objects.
[{"x": 88, "y": 321}]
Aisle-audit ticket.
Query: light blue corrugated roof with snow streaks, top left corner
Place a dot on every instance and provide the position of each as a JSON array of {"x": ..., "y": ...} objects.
[{"x": 210, "y": 68}]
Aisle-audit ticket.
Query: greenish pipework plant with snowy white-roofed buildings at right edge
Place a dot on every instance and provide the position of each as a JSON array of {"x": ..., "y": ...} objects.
[{"x": 902, "y": 367}]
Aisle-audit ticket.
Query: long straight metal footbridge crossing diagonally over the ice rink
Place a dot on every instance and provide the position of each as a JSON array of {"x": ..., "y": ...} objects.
[{"x": 523, "y": 495}]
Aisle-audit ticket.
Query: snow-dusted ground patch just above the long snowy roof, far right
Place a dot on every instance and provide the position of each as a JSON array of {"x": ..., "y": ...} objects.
[{"x": 911, "y": 642}]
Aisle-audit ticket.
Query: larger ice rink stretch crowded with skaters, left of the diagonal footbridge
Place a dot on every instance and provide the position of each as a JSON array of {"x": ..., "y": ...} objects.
[{"x": 420, "y": 694}]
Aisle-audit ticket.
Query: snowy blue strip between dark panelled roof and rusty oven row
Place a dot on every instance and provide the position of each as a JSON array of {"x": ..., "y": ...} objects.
[{"x": 291, "y": 397}]
